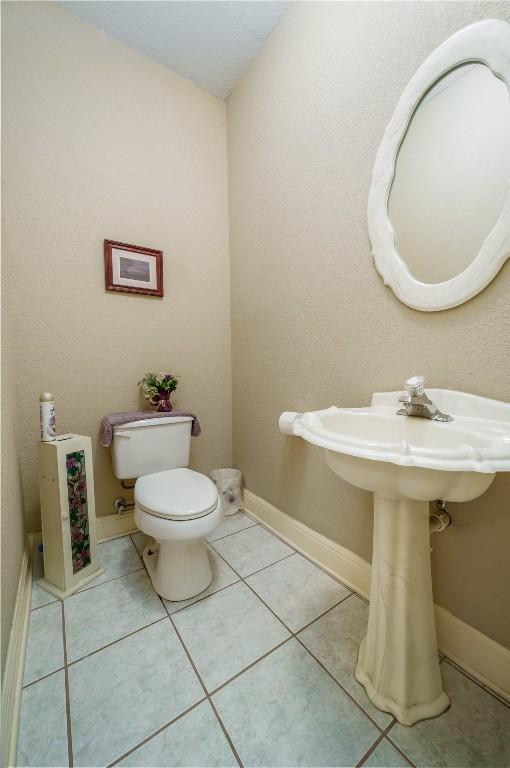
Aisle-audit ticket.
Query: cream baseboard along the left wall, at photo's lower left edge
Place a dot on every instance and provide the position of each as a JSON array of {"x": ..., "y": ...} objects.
[{"x": 15, "y": 660}]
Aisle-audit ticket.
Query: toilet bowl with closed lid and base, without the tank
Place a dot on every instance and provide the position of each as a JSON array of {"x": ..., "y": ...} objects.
[{"x": 178, "y": 508}]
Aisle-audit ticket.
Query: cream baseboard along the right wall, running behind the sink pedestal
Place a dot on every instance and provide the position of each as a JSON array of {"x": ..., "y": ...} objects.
[{"x": 477, "y": 654}]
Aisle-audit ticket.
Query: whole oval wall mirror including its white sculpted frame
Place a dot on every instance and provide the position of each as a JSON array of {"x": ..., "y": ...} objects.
[{"x": 439, "y": 207}]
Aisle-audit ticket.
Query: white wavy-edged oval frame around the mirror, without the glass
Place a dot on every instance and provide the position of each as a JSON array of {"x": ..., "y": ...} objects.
[{"x": 486, "y": 42}]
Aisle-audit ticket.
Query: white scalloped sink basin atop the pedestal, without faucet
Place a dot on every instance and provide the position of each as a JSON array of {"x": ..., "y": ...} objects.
[{"x": 411, "y": 457}]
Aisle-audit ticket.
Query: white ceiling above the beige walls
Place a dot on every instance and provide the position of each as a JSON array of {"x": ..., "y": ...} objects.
[{"x": 209, "y": 42}]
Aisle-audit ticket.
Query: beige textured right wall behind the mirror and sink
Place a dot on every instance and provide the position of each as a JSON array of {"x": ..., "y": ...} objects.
[{"x": 313, "y": 324}]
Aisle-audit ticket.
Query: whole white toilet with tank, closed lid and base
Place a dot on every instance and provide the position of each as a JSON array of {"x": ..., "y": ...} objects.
[{"x": 174, "y": 505}]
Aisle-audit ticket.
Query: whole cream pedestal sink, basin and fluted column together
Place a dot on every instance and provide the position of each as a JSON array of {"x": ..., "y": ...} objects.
[{"x": 407, "y": 462}]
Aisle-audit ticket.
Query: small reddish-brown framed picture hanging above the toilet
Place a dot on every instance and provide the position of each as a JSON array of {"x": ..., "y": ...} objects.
[{"x": 133, "y": 269}]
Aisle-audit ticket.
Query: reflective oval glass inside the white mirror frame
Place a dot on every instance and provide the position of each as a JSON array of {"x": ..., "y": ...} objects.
[{"x": 452, "y": 173}]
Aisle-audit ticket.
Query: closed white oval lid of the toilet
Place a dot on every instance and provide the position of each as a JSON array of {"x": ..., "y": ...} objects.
[{"x": 177, "y": 494}]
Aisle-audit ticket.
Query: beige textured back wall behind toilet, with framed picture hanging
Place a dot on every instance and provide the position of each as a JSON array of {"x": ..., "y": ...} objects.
[{"x": 100, "y": 141}]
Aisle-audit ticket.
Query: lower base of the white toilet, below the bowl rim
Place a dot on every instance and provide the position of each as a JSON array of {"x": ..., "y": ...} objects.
[{"x": 178, "y": 569}]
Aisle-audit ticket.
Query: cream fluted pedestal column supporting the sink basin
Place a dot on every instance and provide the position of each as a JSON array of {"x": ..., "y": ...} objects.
[{"x": 398, "y": 663}]
